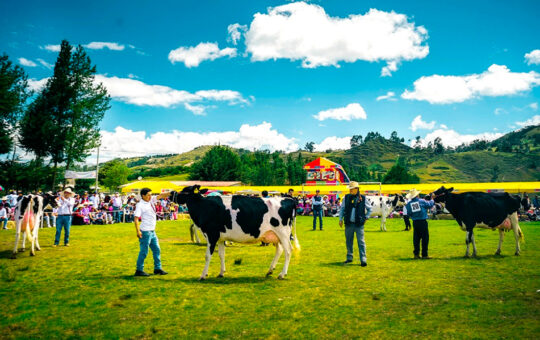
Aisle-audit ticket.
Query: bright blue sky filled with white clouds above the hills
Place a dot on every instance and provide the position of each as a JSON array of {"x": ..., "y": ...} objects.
[{"x": 460, "y": 65}]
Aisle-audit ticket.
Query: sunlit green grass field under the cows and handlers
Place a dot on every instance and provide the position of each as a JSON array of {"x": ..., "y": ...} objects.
[{"x": 88, "y": 291}]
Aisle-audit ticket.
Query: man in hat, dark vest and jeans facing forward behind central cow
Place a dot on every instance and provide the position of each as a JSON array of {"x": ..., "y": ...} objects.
[{"x": 355, "y": 211}]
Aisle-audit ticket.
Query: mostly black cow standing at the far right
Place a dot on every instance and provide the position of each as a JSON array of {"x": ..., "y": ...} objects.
[{"x": 485, "y": 210}]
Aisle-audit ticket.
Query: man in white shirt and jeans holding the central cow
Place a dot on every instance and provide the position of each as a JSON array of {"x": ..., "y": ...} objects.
[{"x": 146, "y": 231}]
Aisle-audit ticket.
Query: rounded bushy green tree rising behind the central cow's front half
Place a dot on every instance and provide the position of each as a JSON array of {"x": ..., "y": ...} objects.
[{"x": 220, "y": 163}]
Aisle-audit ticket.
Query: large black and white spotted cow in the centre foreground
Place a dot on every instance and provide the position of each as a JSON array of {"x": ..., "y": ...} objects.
[{"x": 241, "y": 219}]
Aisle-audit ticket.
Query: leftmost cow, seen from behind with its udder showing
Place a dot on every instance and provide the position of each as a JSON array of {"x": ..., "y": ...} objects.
[{"x": 27, "y": 216}]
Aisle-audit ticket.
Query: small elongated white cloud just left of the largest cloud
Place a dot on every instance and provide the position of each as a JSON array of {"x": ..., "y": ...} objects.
[{"x": 193, "y": 56}]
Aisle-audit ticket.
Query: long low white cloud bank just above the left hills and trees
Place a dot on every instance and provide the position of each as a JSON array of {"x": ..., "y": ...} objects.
[{"x": 123, "y": 142}]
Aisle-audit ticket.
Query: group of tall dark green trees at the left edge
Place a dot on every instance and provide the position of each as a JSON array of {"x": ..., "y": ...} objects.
[{"x": 57, "y": 125}]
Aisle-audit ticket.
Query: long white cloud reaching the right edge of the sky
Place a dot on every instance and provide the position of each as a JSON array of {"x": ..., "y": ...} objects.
[{"x": 498, "y": 80}]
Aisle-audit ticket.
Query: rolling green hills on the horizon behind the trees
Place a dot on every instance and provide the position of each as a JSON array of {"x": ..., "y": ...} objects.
[{"x": 513, "y": 157}]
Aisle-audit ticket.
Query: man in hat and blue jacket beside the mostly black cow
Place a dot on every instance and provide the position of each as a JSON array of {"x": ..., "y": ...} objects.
[{"x": 417, "y": 211}]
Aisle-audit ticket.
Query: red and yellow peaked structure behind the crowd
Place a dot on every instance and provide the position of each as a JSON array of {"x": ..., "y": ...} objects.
[{"x": 323, "y": 171}]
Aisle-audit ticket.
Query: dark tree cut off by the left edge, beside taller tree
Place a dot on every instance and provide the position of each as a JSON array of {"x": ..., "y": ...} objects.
[{"x": 13, "y": 95}]
